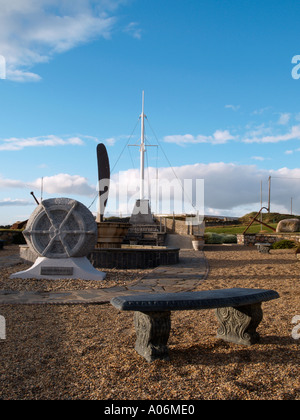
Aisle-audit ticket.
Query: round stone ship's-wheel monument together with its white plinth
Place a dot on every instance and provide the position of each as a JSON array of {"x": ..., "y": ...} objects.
[{"x": 62, "y": 232}]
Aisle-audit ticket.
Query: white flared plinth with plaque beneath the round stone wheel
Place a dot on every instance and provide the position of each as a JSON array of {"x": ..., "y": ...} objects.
[{"x": 64, "y": 268}]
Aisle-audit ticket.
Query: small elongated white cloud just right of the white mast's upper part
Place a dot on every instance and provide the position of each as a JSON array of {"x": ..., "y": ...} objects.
[{"x": 219, "y": 137}]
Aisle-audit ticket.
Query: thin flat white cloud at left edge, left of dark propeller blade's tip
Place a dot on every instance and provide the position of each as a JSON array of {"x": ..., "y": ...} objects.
[{"x": 14, "y": 143}]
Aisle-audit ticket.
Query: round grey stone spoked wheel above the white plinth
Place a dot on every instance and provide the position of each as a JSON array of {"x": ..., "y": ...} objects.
[{"x": 61, "y": 228}]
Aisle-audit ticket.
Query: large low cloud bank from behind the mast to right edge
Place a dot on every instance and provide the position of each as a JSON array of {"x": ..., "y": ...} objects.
[{"x": 230, "y": 189}]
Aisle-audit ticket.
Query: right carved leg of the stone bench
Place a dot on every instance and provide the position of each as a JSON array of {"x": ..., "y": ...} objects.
[{"x": 238, "y": 325}]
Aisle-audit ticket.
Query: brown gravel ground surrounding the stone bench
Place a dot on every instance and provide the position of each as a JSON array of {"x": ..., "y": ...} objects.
[{"x": 87, "y": 351}]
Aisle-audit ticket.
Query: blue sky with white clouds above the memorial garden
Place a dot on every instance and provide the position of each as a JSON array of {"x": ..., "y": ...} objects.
[{"x": 220, "y": 97}]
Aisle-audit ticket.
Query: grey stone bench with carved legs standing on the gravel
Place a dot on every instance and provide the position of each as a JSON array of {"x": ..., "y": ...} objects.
[{"x": 238, "y": 310}]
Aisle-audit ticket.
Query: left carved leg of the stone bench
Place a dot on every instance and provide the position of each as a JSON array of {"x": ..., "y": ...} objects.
[{"x": 152, "y": 334}]
